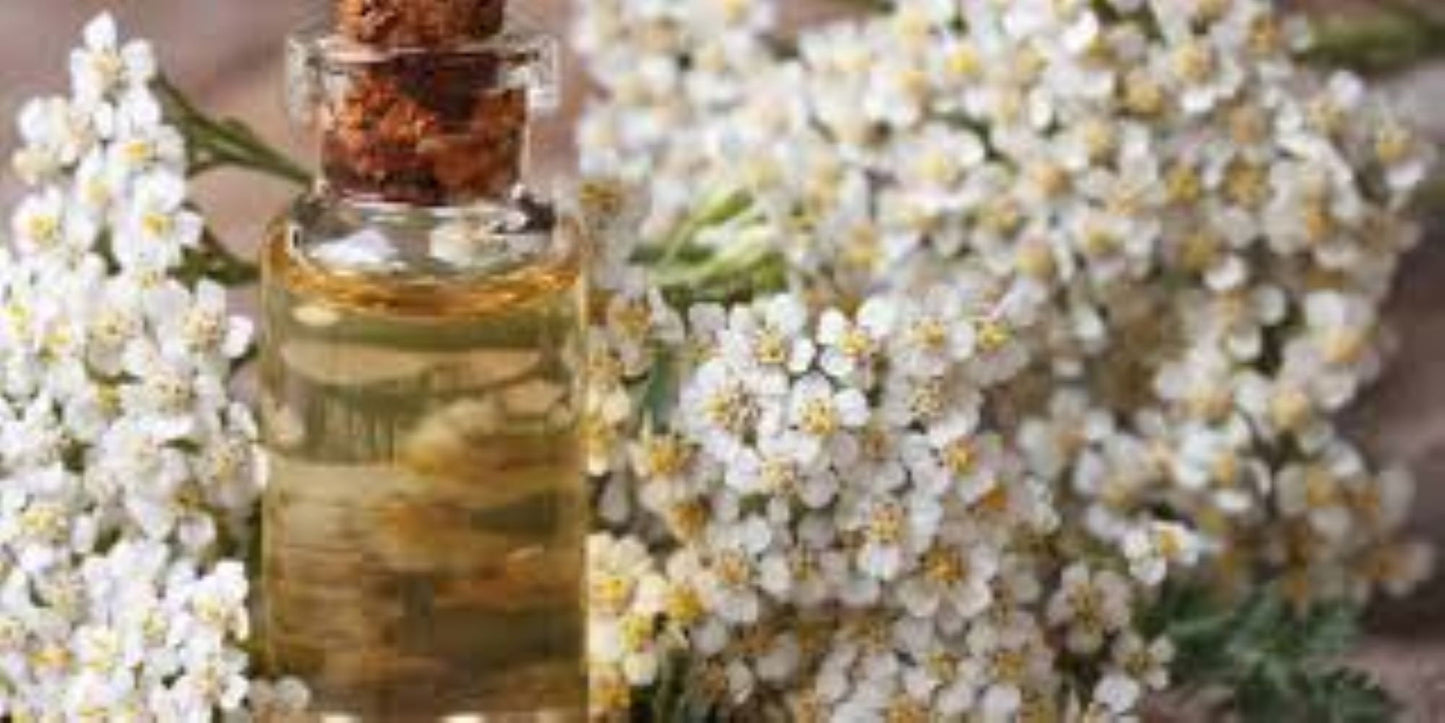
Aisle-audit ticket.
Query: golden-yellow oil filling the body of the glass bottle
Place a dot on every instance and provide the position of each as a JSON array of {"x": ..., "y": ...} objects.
[{"x": 424, "y": 520}]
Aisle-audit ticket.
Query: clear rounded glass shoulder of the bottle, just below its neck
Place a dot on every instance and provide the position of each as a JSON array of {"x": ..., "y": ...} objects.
[{"x": 420, "y": 261}]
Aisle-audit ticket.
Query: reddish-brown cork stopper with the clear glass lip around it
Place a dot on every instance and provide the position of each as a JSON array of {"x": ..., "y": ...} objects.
[{"x": 424, "y": 102}]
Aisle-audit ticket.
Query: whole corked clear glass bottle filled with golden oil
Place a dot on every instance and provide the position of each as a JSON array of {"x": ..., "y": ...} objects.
[{"x": 424, "y": 520}]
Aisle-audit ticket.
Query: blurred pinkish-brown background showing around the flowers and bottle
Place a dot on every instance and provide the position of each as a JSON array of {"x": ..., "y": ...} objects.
[{"x": 228, "y": 54}]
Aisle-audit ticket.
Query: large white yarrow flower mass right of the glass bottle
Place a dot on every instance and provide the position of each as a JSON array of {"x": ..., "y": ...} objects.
[{"x": 1028, "y": 312}]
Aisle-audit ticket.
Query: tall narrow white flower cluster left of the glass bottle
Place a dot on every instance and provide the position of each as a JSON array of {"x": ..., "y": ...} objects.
[{"x": 128, "y": 466}]
